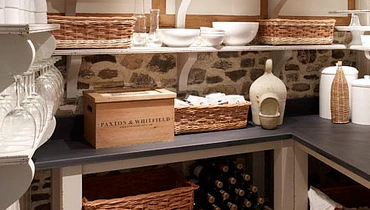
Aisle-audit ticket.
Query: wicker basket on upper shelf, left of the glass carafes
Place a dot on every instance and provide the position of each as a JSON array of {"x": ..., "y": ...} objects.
[{"x": 93, "y": 32}]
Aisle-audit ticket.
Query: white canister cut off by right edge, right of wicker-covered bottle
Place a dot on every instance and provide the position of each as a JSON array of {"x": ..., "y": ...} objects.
[{"x": 361, "y": 100}]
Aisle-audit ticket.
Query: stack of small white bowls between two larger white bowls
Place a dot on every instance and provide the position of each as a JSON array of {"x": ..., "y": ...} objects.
[{"x": 211, "y": 37}]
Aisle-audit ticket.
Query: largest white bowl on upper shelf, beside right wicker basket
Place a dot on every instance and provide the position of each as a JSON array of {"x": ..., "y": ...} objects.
[{"x": 237, "y": 33}]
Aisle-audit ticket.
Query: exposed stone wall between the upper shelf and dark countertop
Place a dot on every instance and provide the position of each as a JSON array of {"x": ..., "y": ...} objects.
[{"x": 228, "y": 72}]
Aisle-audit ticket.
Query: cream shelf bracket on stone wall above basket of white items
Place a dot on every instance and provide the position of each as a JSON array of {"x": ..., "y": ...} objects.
[{"x": 184, "y": 63}]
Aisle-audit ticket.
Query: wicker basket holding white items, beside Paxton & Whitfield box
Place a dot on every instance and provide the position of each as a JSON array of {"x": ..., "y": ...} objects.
[{"x": 193, "y": 119}]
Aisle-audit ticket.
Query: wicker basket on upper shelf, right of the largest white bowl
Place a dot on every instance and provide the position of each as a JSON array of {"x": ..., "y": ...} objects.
[{"x": 294, "y": 32}]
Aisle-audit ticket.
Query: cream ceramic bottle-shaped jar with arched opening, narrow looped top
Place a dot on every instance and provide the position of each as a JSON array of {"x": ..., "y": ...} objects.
[{"x": 268, "y": 97}]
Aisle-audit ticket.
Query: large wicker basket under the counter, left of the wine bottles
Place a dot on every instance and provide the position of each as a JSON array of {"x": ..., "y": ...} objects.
[{"x": 161, "y": 188}]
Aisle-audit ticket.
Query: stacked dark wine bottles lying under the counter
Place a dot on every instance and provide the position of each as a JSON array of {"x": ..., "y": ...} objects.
[{"x": 225, "y": 184}]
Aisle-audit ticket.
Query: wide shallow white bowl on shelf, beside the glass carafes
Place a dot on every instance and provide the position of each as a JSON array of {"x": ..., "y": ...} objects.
[{"x": 178, "y": 37}]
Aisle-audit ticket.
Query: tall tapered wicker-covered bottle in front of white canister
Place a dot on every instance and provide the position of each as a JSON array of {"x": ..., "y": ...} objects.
[{"x": 339, "y": 98}]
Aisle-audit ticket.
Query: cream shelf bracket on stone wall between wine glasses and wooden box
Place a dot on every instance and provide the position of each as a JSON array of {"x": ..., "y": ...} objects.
[{"x": 73, "y": 68}]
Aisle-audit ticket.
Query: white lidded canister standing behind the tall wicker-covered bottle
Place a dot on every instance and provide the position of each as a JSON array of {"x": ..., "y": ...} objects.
[{"x": 326, "y": 79}]
